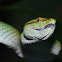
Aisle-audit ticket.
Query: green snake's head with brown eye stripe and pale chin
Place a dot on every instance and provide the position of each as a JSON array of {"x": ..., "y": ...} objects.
[{"x": 40, "y": 28}]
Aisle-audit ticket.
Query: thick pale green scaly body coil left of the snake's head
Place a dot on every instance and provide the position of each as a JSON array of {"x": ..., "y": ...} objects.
[{"x": 10, "y": 36}]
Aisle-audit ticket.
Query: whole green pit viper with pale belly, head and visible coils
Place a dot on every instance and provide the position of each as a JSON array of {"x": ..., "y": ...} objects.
[{"x": 33, "y": 31}]
